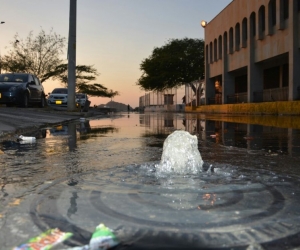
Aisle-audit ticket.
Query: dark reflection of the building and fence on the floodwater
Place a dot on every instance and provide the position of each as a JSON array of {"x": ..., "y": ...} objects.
[{"x": 260, "y": 135}]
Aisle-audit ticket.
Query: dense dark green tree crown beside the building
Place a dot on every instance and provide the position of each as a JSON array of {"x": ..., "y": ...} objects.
[{"x": 172, "y": 65}]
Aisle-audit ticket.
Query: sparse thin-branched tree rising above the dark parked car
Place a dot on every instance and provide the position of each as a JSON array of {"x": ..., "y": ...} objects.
[{"x": 37, "y": 55}]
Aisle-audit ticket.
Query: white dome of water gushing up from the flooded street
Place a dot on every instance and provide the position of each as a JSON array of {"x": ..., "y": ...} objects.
[{"x": 180, "y": 155}]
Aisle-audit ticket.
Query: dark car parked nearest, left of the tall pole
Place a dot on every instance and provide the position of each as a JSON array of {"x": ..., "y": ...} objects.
[{"x": 21, "y": 89}]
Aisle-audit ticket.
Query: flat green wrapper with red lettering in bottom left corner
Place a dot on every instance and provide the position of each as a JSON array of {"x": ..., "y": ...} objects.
[{"x": 45, "y": 241}]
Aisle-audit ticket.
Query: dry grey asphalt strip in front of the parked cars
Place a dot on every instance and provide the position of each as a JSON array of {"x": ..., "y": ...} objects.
[{"x": 14, "y": 120}]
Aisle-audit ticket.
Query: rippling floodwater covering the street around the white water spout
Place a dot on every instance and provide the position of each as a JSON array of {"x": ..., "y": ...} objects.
[{"x": 102, "y": 170}]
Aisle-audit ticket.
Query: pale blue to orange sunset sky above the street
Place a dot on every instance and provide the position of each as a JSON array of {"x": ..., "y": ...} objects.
[{"x": 114, "y": 36}]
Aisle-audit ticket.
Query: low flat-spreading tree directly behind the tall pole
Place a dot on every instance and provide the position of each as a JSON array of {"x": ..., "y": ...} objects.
[{"x": 84, "y": 74}]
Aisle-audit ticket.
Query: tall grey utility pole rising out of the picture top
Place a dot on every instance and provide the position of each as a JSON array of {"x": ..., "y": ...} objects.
[{"x": 72, "y": 56}]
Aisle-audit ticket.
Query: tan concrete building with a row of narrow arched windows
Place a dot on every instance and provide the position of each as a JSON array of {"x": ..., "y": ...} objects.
[{"x": 252, "y": 52}]
